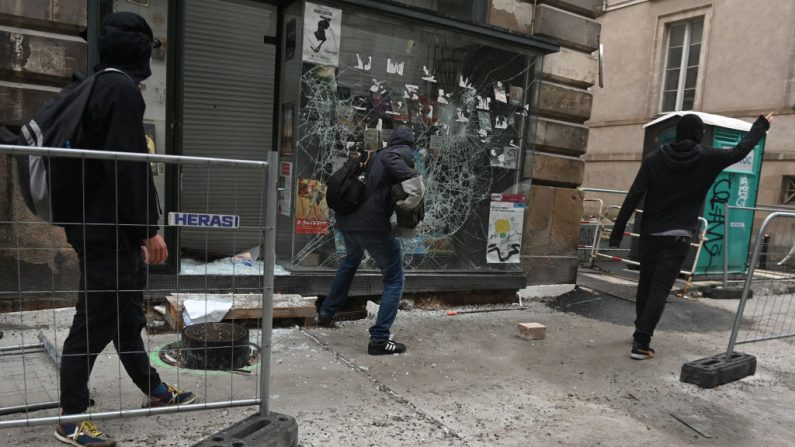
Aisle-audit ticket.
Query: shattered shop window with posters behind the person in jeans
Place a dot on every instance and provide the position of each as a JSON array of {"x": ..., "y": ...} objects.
[{"x": 470, "y": 106}]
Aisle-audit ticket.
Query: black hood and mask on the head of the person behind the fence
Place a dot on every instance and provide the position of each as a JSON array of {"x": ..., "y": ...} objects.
[{"x": 125, "y": 42}]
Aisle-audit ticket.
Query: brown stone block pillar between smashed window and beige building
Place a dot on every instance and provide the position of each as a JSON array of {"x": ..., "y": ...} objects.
[{"x": 559, "y": 140}]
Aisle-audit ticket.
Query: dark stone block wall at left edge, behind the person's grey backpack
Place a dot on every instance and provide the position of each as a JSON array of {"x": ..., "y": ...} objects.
[{"x": 41, "y": 48}]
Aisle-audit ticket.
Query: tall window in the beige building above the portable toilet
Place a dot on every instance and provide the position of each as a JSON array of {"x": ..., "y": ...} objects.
[{"x": 681, "y": 65}]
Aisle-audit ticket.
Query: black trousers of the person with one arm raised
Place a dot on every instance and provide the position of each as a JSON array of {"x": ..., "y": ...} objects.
[{"x": 661, "y": 259}]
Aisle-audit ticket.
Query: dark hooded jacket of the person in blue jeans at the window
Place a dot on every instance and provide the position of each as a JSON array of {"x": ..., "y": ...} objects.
[{"x": 390, "y": 166}]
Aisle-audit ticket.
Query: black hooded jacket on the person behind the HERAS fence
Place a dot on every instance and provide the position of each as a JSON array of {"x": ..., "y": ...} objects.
[{"x": 118, "y": 195}]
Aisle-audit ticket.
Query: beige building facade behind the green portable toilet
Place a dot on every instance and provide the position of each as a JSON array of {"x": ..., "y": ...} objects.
[{"x": 740, "y": 63}]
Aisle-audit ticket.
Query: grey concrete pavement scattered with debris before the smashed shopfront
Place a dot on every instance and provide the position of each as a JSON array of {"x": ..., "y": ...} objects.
[{"x": 468, "y": 380}]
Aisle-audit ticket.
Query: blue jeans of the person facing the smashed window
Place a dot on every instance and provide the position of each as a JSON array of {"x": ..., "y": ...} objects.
[{"x": 385, "y": 250}]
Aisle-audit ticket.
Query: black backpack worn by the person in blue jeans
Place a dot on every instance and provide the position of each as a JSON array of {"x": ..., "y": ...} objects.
[{"x": 345, "y": 190}]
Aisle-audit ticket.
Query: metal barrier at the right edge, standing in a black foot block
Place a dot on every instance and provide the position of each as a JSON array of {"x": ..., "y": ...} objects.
[{"x": 771, "y": 314}]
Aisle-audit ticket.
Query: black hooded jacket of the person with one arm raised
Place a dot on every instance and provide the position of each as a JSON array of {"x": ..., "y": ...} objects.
[{"x": 675, "y": 180}]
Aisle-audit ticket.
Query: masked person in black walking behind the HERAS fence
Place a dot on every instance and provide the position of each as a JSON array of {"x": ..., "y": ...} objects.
[{"x": 118, "y": 234}]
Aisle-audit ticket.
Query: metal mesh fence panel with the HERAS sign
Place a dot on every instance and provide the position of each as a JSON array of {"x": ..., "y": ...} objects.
[{"x": 31, "y": 381}]
